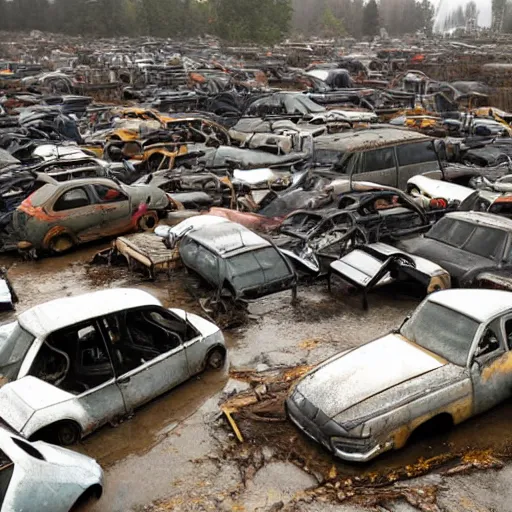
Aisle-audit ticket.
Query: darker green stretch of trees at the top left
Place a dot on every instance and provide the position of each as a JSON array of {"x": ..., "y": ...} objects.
[{"x": 263, "y": 21}]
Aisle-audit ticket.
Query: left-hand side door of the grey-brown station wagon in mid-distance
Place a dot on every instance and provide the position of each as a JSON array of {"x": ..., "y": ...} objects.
[{"x": 377, "y": 165}]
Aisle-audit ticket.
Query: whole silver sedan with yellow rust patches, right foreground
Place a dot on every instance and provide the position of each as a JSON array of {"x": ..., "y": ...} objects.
[{"x": 371, "y": 399}]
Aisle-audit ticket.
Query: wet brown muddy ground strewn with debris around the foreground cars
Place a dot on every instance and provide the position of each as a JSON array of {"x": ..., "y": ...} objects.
[{"x": 178, "y": 453}]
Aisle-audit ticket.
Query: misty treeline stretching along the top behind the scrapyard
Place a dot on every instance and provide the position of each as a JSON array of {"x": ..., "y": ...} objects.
[{"x": 238, "y": 21}]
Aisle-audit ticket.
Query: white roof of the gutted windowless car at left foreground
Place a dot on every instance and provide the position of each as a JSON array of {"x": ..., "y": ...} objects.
[{"x": 60, "y": 313}]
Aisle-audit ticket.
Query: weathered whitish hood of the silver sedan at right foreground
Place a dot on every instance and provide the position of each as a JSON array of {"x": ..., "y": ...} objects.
[{"x": 351, "y": 378}]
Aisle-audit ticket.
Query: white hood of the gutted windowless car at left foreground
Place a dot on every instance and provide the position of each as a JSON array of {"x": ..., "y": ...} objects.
[{"x": 20, "y": 399}]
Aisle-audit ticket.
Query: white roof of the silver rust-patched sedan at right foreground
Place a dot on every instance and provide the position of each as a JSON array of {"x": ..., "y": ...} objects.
[{"x": 481, "y": 305}]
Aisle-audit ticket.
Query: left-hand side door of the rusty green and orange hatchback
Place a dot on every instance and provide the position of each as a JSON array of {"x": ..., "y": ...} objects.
[{"x": 74, "y": 209}]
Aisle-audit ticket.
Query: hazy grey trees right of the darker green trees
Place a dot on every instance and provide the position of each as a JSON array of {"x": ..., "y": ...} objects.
[{"x": 355, "y": 18}]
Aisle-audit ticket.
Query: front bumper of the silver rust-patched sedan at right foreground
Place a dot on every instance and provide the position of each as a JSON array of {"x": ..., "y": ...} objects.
[{"x": 315, "y": 432}]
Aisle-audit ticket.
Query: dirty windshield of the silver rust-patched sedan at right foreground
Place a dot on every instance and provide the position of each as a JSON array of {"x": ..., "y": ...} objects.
[{"x": 453, "y": 334}]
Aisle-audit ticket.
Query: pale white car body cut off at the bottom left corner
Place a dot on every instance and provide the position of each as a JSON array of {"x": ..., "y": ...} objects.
[{"x": 55, "y": 478}]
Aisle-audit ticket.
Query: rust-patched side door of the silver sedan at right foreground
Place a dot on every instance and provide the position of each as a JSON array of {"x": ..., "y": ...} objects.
[{"x": 491, "y": 367}]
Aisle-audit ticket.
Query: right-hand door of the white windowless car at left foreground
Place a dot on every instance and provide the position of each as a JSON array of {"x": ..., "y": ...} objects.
[{"x": 150, "y": 356}]
